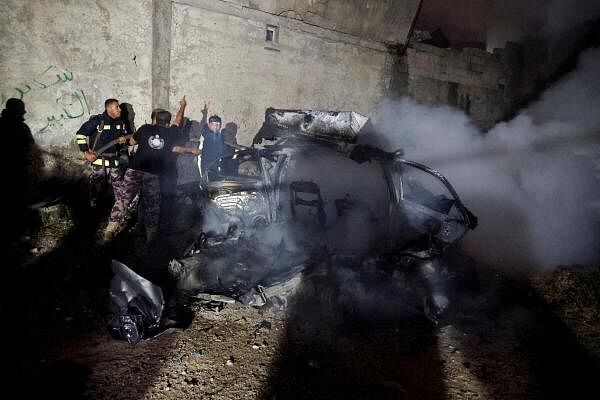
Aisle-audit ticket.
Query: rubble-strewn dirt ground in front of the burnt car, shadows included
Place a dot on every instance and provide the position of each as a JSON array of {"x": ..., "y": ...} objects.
[{"x": 526, "y": 336}]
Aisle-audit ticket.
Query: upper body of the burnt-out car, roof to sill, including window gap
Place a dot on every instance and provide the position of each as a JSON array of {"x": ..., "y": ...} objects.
[{"x": 315, "y": 163}]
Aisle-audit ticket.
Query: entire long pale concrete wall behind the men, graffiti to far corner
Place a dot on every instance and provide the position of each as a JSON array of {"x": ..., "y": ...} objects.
[{"x": 65, "y": 57}]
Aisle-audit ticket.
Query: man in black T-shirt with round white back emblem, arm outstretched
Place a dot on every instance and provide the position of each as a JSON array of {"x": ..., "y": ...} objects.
[{"x": 155, "y": 143}]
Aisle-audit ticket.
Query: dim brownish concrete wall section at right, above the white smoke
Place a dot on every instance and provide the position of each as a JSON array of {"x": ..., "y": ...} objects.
[{"x": 470, "y": 79}]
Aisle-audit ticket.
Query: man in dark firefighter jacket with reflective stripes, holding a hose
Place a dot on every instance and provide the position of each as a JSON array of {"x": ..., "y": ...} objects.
[{"x": 100, "y": 140}]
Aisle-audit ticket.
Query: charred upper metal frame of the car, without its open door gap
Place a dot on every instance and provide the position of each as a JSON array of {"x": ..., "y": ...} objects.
[{"x": 255, "y": 201}]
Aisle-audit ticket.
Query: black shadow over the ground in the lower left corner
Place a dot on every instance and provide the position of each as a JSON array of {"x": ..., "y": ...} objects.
[{"x": 55, "y": 306}]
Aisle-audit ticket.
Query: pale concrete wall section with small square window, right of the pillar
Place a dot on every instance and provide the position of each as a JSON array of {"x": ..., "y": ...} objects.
[{"x": 219, "y": 54}]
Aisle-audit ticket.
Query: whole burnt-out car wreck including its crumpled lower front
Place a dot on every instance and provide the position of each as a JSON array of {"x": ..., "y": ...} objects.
[{"x": 313, "y": 205}]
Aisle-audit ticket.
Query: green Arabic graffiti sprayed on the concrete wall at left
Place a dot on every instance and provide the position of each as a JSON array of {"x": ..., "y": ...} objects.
[{"x": 57, "y": 90}]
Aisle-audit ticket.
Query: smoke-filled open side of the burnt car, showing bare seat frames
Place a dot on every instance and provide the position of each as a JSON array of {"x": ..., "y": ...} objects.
[{"x": 354, "y": 198}]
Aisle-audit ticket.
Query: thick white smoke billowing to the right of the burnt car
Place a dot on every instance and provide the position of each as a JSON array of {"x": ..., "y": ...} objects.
[{"x": 533, "y": 181}]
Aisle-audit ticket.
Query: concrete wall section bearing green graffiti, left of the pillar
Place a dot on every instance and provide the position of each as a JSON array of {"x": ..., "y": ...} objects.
[{"x": 64, "y": 58}]
